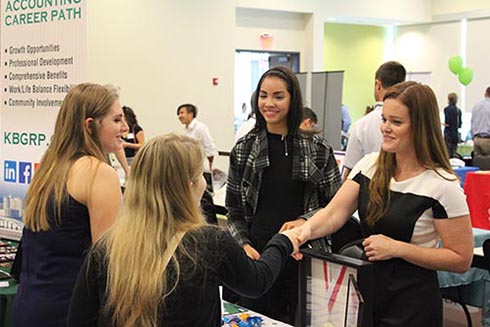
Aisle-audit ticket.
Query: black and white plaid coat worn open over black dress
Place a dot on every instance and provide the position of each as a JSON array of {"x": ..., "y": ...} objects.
[{"x": 313, "y": 163}]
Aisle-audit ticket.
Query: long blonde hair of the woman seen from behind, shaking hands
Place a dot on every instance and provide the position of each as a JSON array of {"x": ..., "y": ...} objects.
[{"x": 158, "y": 206}]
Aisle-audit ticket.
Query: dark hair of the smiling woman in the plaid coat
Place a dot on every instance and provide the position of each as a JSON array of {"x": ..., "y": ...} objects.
[{"x": 296, "y": 111}]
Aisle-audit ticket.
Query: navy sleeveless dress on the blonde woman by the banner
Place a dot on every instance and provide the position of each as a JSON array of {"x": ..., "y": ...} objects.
[{"x": 50, "y": 264}]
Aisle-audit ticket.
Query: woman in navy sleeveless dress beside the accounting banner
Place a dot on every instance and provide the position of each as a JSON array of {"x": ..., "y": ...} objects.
[{"x": 73, "y": 199}]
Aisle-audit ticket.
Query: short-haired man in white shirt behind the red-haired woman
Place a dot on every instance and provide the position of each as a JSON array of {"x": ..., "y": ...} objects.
[{"x": 365, "y": 136}]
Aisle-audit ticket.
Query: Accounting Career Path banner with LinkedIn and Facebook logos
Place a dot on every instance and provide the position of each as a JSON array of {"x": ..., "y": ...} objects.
[{"x": 42, "y": 54}]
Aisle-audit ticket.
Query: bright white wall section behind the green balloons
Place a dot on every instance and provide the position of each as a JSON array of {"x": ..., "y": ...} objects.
[{"x": 429, "y": 47}]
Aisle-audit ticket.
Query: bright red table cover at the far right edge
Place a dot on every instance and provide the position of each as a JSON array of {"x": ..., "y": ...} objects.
[{"x": 477, "y": 190}]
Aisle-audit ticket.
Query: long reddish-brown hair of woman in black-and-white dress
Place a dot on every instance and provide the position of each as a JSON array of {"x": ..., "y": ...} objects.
[{"x": 427, "y": 139}]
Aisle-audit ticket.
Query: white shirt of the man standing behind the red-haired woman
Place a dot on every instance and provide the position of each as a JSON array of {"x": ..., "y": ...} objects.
[{"x": 365, "y": 137}]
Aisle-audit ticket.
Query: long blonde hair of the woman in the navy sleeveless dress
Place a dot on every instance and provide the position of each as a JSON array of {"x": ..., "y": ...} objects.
[{"x": 70, "y": 141}]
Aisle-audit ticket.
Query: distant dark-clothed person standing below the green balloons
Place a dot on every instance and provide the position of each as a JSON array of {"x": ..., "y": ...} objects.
[{"x": 452, "y": 122}]
